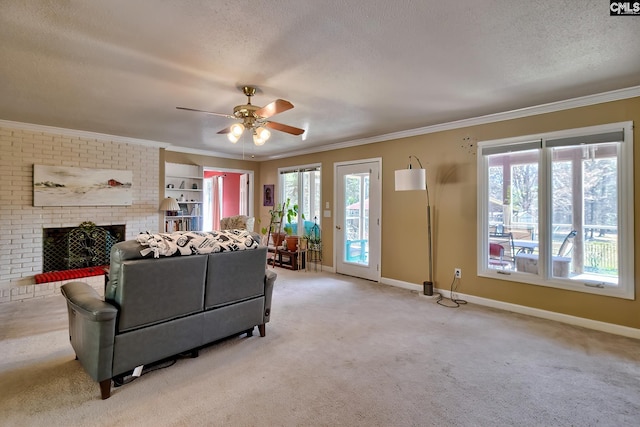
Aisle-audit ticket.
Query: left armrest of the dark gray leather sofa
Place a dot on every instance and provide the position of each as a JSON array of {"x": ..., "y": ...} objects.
[{"x": 92, "y": 326}]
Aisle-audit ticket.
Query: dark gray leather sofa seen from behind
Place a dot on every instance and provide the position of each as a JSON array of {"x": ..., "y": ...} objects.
[{"x": 157, "y": 308}]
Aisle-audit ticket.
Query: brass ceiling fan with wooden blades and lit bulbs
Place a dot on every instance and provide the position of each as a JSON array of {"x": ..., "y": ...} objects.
[{"x": 254, "y": 118}]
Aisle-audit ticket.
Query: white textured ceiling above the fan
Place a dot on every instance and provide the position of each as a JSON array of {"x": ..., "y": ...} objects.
[{"x": 353, "y": 69}]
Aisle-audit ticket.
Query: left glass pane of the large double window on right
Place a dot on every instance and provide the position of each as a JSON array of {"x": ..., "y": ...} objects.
[{"x": 513, "y": 211}]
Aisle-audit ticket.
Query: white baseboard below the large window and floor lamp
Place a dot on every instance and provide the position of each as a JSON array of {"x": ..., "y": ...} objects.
[{"x": 521, "y": 309}]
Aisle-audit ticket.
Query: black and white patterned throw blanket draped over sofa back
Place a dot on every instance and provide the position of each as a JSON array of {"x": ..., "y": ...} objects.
[{"x": 195, "y": 242}]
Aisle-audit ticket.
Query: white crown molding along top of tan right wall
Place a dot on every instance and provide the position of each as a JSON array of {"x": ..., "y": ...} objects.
[{"x": 551, "y": 107}]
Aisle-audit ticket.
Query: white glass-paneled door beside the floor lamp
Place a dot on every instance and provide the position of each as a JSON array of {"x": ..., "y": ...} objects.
[{"x": 357, "y": 219}]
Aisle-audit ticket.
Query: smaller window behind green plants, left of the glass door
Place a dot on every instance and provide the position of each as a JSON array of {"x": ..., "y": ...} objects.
[{"x": 301, "y": 185}]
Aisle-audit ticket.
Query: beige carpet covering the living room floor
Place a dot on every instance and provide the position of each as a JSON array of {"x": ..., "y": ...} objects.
[{"x": 338, "y": 352}]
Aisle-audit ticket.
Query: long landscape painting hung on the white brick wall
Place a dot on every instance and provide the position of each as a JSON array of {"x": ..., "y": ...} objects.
[{"x": 69, "y": 186}]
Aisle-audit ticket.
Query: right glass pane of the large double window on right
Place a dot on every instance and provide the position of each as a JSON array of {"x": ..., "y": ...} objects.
[{"x": 585, "y": 213}]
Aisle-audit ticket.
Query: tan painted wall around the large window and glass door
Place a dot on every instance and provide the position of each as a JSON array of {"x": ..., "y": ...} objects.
[{"x": 451, "y": 171}]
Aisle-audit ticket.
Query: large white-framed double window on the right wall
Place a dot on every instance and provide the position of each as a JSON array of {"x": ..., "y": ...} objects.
[{"x": 557, "y": 209}]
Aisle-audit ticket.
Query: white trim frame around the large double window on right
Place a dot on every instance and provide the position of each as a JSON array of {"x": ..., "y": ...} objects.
[{"x": 626, "y": 278}]
